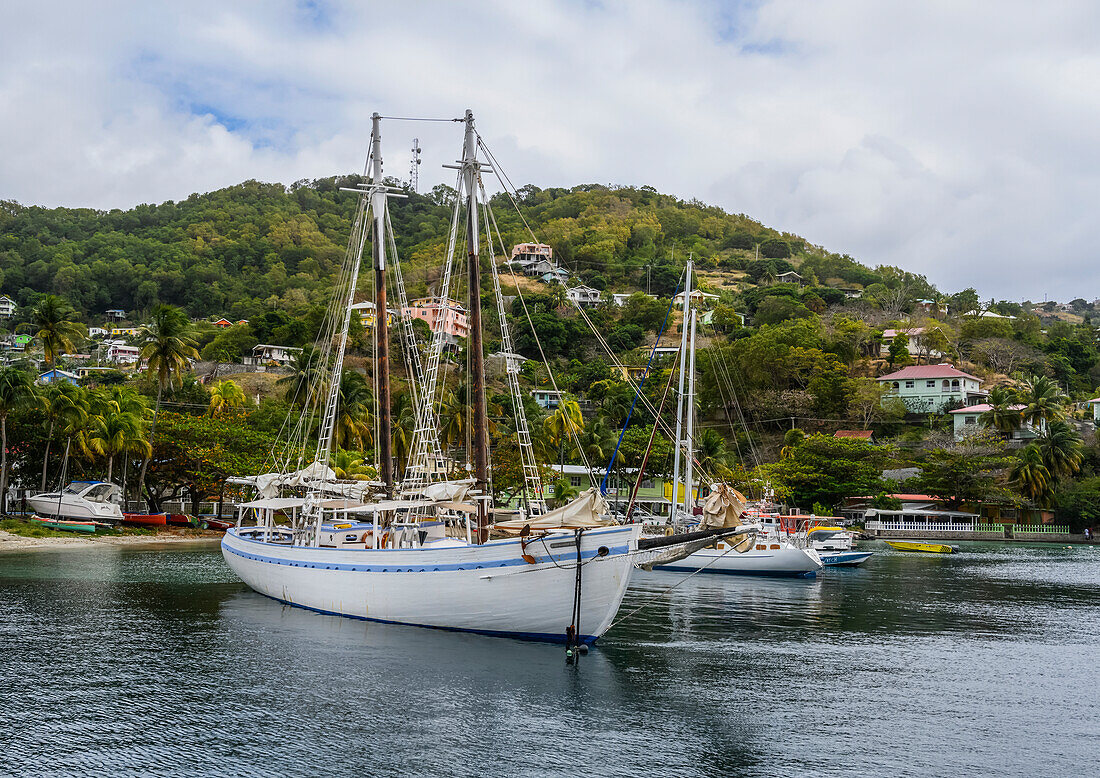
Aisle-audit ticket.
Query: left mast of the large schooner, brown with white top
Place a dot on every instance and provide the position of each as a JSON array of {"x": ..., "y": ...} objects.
[{"x": 381, "y": 312}]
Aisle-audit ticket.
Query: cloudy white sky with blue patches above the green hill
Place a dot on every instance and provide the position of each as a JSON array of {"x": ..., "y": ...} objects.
[{"x": 952, "y": 139}]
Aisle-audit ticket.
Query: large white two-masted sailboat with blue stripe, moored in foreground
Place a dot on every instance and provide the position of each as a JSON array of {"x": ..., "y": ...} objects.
[{"x": 411, "y": 562}]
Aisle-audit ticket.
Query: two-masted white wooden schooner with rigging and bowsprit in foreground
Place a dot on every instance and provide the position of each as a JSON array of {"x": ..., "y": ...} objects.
[{"x": 412, "y": 549}]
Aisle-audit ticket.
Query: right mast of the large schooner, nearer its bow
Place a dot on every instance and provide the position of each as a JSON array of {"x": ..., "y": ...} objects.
[{"x": 477, "y": 356}]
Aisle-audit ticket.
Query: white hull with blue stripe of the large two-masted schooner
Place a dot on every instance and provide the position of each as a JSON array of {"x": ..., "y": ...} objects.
[{"x": 487, "y": 589}]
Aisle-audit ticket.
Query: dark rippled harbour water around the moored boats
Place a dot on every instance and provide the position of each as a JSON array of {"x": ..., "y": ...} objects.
[{"x": 160, "y": 663}]
